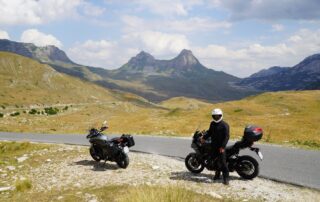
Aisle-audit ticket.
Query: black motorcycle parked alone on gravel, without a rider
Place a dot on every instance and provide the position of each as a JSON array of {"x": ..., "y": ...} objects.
[{"x": 115, "y": 149}]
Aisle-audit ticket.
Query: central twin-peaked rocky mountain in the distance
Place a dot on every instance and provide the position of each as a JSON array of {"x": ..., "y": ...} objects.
[{"x": 184, "y": 75}]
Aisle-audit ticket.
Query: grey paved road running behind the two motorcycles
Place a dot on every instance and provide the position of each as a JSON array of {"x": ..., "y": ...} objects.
[{"x": 296, "y": 166}]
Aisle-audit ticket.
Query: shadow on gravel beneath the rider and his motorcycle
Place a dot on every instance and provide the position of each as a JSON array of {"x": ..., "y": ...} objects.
[{"x": 202, "y": 178}]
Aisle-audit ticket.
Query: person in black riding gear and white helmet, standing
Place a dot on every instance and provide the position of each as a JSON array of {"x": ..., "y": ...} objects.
[{"x": 219, "y": 133}]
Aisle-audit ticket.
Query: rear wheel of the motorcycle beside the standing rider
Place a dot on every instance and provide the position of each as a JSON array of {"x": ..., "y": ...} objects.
[{"x": 247, "y": 167}]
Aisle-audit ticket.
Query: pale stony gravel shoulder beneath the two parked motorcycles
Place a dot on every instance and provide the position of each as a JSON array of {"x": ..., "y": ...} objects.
[{"x": 66, "y": 167}]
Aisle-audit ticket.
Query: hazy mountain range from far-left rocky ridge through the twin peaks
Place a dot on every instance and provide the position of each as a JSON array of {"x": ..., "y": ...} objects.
[{"x": 153, "y": 79}]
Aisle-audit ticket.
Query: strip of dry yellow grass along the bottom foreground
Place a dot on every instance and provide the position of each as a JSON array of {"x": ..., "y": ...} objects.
[{"x": 119, "y": 193}]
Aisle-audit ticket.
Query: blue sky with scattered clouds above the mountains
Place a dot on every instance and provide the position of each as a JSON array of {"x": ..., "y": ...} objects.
[{"x": 239, "y": 37}]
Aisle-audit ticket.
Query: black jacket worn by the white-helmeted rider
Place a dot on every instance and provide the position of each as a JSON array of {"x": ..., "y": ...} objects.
[{"x": 219, "y": 133}]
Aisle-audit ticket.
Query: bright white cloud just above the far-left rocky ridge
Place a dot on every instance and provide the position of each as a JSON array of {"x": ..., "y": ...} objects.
[{"x": 40, "y": 39}]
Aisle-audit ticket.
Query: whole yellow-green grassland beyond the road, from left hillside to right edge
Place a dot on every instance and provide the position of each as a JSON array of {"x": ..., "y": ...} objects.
[{"x": 287, "y": 117}]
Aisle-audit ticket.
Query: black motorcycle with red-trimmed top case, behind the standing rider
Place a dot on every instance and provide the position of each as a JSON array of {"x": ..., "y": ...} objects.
[{"x": 246, "y": 166}]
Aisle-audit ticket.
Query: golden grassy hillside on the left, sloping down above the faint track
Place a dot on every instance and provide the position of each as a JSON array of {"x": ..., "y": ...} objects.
[{"x": 25, "y": 81}]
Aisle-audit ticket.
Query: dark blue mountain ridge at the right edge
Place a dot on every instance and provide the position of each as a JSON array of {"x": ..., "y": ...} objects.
[{"x": 303, "y": 76}]
